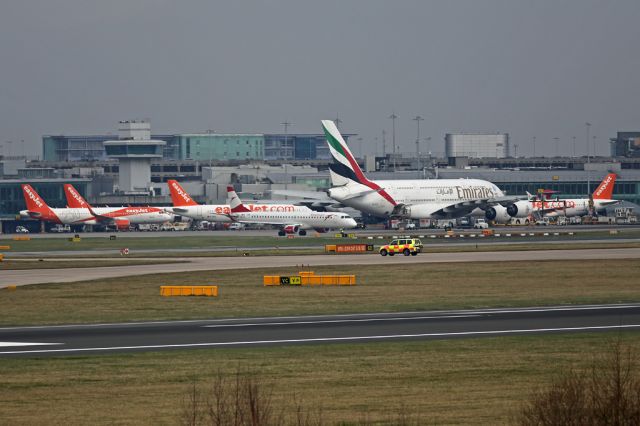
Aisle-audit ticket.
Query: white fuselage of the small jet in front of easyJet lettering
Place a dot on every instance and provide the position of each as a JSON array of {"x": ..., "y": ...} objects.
[{"x": 304, "y": 217}]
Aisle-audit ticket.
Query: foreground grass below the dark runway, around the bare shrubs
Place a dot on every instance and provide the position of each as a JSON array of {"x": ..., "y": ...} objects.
[{"x": 462, "y": 381}]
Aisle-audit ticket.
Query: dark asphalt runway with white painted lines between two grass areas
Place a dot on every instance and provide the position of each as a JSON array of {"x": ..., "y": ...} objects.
[{"x": 252, "y": 332}]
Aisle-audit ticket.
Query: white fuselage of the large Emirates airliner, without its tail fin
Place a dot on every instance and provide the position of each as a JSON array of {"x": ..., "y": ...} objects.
[{"x": 424, "y": 196}]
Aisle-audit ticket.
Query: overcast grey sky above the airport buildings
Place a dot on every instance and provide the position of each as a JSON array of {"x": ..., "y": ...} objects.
[{"x": 530, "y": 68}]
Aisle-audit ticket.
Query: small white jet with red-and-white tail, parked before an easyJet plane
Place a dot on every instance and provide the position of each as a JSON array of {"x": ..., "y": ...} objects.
[{"x": 291, "y": 221}]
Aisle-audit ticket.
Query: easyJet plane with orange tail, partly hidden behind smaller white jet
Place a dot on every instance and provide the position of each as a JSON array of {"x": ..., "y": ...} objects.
[{"x": 184, "y": 205}]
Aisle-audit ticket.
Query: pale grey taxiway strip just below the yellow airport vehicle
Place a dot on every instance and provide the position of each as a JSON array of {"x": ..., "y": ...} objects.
[{"x": 35, "y": 276}]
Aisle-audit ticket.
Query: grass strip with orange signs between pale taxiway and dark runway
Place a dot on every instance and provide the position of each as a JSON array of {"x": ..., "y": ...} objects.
[{"x": 381, "y": 288}]
